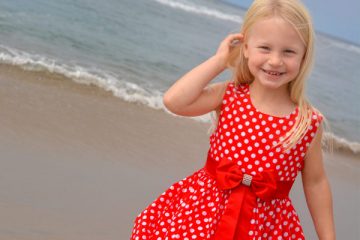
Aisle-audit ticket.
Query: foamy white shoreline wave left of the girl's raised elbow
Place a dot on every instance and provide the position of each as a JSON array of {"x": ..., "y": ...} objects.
[{"x": 127, "y": 91}]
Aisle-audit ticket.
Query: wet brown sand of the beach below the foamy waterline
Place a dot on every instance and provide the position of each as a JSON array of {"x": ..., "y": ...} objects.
[{"x": 78, "y": 163}]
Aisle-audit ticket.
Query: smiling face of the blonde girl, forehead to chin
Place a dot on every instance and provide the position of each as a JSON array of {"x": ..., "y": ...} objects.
[{"x": 274, "y": 52}]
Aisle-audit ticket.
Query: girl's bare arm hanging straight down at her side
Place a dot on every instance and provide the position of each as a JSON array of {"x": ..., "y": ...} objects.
[{"x": 317, "y": 190}]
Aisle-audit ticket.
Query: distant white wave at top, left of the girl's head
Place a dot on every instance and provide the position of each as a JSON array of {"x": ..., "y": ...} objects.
[{"x": 201, "y": 10}]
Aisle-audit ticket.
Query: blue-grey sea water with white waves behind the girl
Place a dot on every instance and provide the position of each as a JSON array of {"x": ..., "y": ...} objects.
[{"x": 138, "y": 49}]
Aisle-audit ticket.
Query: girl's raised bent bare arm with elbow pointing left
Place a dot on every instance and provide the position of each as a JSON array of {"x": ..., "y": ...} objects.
[{"x": 191, "y": 95}]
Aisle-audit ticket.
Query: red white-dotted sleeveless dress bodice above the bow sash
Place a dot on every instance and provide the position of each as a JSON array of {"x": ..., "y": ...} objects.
[{"x": 246, "y": 135}]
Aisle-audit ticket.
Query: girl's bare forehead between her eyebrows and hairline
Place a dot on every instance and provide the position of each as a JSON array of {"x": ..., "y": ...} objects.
[{"x": 275, "y": 30}]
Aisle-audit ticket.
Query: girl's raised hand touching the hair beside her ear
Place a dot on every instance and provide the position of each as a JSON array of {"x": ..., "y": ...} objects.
[{"x": 231, "y": 41}]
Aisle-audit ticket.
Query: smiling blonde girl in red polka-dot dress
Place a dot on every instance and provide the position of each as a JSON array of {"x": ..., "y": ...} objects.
[{"x": 266, "y": 133}]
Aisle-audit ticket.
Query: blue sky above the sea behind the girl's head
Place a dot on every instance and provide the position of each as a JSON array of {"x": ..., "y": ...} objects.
[{"x": 340, "y": 19}]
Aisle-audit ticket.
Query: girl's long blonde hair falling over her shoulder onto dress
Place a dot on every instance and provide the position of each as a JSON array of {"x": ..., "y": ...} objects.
[{"x": 297, "y": 15}]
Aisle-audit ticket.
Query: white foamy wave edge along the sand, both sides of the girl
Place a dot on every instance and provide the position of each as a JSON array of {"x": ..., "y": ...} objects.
[{"x": 127, "y": 91}]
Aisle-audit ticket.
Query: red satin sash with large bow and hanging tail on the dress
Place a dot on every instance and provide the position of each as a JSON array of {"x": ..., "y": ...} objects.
[{"x": 245, "y": 189}]
